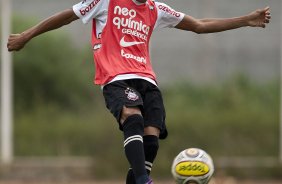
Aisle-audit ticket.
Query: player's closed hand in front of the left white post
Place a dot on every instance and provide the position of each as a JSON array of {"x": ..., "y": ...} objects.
[{"x": 16, "y": 42}]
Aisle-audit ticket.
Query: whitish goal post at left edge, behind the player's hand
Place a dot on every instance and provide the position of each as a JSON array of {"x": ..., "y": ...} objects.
[{"x": 6, "y": 87}]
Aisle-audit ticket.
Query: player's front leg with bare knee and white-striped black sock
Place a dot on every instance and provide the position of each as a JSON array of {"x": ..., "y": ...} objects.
[{"x": 133, "y": 129}]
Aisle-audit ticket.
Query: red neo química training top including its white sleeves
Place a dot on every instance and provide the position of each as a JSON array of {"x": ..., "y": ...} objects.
[{"x": 121, "y": 33}]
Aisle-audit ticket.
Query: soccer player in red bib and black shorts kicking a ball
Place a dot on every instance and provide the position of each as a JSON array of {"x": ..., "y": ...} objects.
[{"x": 120, "y": 40}]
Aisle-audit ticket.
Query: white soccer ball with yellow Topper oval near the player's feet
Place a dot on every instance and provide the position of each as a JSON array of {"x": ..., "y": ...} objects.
[{"x": 192, "y": 166}]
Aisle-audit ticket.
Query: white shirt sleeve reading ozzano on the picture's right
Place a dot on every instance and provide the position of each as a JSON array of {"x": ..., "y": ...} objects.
[{"x": 167, "y": 17}]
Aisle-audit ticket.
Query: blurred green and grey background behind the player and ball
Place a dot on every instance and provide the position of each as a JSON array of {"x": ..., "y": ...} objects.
[{"x": 221, "y": 94}]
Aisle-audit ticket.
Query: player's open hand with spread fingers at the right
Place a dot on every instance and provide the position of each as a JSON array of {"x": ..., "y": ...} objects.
[{"x": 259, "y": 18}]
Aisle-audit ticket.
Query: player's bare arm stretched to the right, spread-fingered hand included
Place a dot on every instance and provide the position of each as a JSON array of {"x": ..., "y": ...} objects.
[{"x": 258, "y": 18}]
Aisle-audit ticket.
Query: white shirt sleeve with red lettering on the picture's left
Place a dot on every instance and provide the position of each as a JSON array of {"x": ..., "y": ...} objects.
[{"x": 86, "y": 10}]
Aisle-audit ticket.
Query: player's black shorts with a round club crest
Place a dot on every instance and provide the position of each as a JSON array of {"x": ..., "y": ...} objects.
[{"x": 137, "y": 93}]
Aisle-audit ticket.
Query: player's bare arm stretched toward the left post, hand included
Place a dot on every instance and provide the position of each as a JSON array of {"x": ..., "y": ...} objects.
[{"x": 17, "y": 41}]
